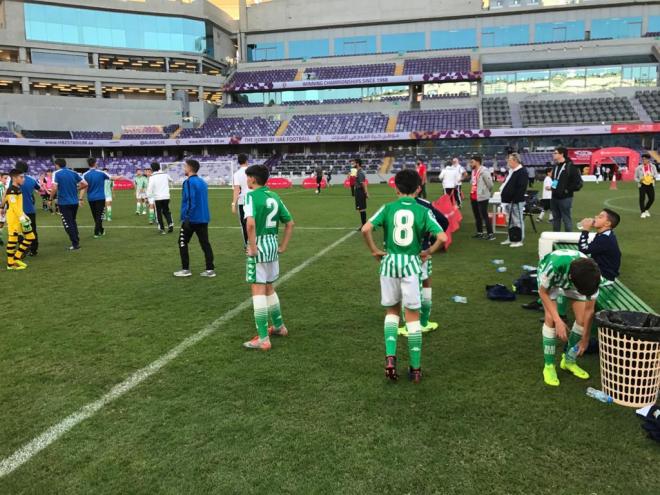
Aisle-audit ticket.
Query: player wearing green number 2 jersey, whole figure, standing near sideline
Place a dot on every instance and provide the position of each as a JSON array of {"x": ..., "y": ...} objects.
[{"x": 264, "y": 211}]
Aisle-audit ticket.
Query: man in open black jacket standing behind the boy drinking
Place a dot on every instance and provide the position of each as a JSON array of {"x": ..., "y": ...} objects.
[{"x": 565, "y": 177}]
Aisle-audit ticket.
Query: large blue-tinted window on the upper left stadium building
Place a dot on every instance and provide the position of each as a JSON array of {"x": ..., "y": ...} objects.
[{"x": 56, "y": 24}]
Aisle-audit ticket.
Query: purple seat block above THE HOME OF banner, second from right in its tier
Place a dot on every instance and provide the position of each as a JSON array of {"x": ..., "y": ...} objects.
[{"x": 339, "y": 123}]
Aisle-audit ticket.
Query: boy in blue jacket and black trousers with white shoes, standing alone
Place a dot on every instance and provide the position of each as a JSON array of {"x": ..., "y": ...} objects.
[{"x": 195, "y": 219}]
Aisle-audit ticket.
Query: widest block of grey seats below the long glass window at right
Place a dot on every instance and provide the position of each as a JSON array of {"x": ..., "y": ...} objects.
[{"x": 577, "y": 111}]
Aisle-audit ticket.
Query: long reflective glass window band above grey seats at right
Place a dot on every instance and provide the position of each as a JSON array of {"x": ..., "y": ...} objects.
[{"x": 572, "y": 80}]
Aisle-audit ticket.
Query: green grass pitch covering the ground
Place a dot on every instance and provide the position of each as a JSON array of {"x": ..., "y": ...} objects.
[{"x": 314, "y": 415}]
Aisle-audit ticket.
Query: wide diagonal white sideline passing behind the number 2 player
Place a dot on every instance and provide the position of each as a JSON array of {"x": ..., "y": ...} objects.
[{"x": 52, "y": 434}]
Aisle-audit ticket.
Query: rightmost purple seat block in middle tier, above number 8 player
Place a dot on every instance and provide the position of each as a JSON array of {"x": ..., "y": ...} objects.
[{"x": 437, "y": 120}]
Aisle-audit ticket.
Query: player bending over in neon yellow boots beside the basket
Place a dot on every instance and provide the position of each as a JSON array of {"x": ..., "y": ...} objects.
[{"x": 569, "y": 273}]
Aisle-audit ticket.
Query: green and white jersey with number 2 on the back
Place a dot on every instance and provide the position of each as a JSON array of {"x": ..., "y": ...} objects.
[{"x": 268, "y": 211}]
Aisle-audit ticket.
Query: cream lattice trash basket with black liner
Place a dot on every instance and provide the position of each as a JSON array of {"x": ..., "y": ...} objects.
[{"x": 629, "y": 345}]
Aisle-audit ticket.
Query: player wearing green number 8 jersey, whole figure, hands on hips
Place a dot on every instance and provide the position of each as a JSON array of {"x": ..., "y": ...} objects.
[{"x": 405, "y": 223}]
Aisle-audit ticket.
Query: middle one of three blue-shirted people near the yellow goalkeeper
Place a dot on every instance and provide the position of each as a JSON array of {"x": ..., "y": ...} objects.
[{"x": 66, "y": 184}]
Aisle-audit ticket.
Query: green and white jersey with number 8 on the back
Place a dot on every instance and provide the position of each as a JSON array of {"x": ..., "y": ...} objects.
[{"x": 405, "y": 223}]
